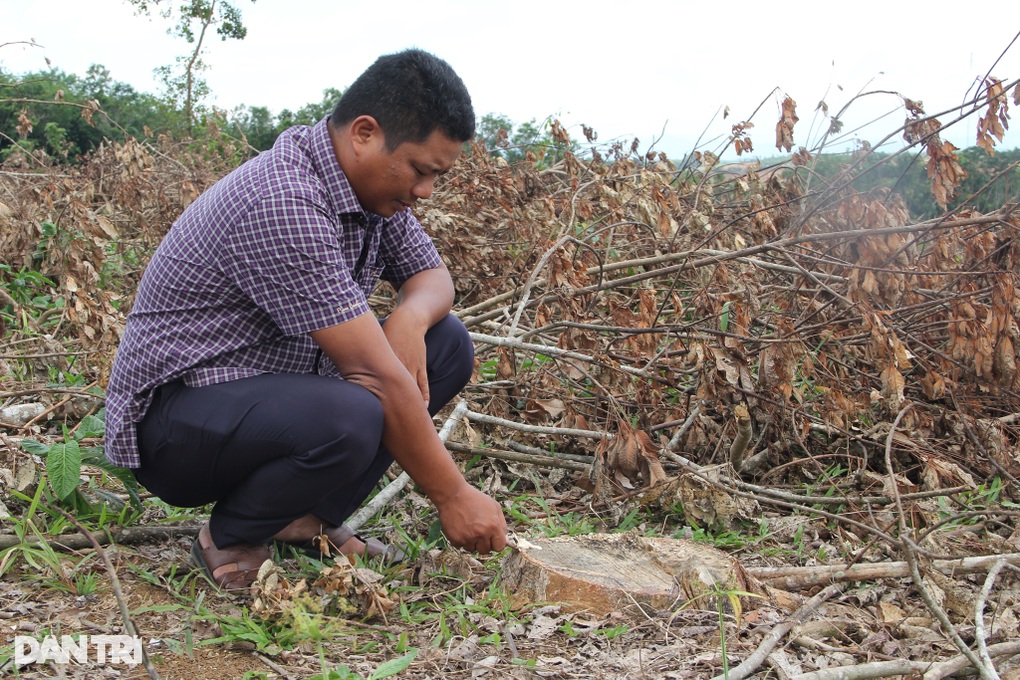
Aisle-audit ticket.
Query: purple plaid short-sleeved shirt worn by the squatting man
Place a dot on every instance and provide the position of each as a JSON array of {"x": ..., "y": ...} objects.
[{"x": 277, "y": 249}]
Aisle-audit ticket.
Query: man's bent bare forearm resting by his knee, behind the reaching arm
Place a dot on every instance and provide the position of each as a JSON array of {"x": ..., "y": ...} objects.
[{"x": 423, "y": 301}]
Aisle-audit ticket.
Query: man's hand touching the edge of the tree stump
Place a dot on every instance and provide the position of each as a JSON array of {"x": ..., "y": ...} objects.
[{"x": 474, "y": 521}]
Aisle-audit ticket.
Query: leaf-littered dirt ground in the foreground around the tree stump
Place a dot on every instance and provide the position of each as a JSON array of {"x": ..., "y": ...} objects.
[{"x": 176, "y": 612}]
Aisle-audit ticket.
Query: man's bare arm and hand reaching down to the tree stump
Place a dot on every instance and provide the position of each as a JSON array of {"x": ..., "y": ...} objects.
[{"x": 360, "y": 350}]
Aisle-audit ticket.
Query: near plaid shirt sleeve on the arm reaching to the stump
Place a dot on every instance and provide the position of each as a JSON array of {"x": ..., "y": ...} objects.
[{"x": 286, "y": 256}]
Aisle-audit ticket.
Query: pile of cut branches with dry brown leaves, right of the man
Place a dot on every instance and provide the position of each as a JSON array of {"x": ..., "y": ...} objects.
[{"x": 628, "y": 296}]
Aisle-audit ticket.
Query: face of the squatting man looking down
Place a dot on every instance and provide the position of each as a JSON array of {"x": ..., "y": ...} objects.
[{"x": 388, "y": 182}]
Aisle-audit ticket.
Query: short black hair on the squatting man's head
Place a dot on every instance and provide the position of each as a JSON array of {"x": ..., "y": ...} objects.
[{"x": 411, "y": 94}]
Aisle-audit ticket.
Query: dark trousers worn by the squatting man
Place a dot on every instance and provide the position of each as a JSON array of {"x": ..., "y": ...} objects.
[{"x": 272, "y": 449}]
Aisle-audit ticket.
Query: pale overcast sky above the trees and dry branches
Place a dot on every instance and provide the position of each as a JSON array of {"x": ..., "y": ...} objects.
[{"x": 664, "y": 73}]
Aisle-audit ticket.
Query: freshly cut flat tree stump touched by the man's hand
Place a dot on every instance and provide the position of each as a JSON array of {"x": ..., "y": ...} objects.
[{"x": 604, "y": 573}]
